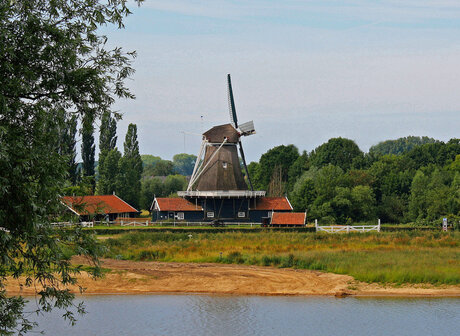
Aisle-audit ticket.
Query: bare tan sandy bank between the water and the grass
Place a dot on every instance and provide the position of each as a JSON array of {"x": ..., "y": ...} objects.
[{"x": 149, "y": 277}]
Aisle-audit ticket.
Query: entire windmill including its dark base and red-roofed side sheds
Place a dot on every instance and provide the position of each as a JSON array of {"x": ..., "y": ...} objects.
[{"x": 217, "y": 192}]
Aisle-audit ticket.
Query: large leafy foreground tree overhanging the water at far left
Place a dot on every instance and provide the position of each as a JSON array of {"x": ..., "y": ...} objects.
[{"x": 51, "y": 59}]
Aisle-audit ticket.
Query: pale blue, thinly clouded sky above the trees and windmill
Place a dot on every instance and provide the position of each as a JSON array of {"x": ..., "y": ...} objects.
[{"x": 303, "y": 71}]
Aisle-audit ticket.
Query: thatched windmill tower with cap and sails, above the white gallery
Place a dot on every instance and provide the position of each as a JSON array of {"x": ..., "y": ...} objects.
[{"x": 217, "y": 167}]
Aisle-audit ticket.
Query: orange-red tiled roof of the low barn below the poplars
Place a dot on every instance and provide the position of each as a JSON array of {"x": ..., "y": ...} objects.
[{"x": 103, "y": 204}]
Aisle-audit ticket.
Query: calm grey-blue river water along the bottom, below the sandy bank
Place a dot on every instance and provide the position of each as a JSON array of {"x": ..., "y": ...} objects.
[{"x": 186, "y": 315}]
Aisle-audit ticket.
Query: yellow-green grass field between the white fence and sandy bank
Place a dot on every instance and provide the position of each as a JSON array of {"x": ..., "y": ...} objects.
[{"x": 393, "y": 257}]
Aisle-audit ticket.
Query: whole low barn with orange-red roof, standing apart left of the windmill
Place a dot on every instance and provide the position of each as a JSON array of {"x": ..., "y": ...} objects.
[{"x": 107, "y": 207}]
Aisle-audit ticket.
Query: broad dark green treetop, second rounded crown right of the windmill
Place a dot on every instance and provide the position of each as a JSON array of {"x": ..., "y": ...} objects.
[{"x": 338, "y": 152}]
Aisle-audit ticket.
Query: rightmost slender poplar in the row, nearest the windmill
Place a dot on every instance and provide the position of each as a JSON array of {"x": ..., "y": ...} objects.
[{"x": 130, "y": 169}]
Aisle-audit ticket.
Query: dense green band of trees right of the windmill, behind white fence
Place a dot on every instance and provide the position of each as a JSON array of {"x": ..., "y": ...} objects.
[{"x": 411, "y": 179}]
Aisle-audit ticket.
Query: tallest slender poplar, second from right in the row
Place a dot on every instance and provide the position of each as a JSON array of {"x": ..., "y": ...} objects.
[{"x": 107, "y": 143}]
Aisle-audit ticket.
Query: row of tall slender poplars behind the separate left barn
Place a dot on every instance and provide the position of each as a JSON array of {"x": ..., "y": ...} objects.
[{"x": 113, "y": 172}]
